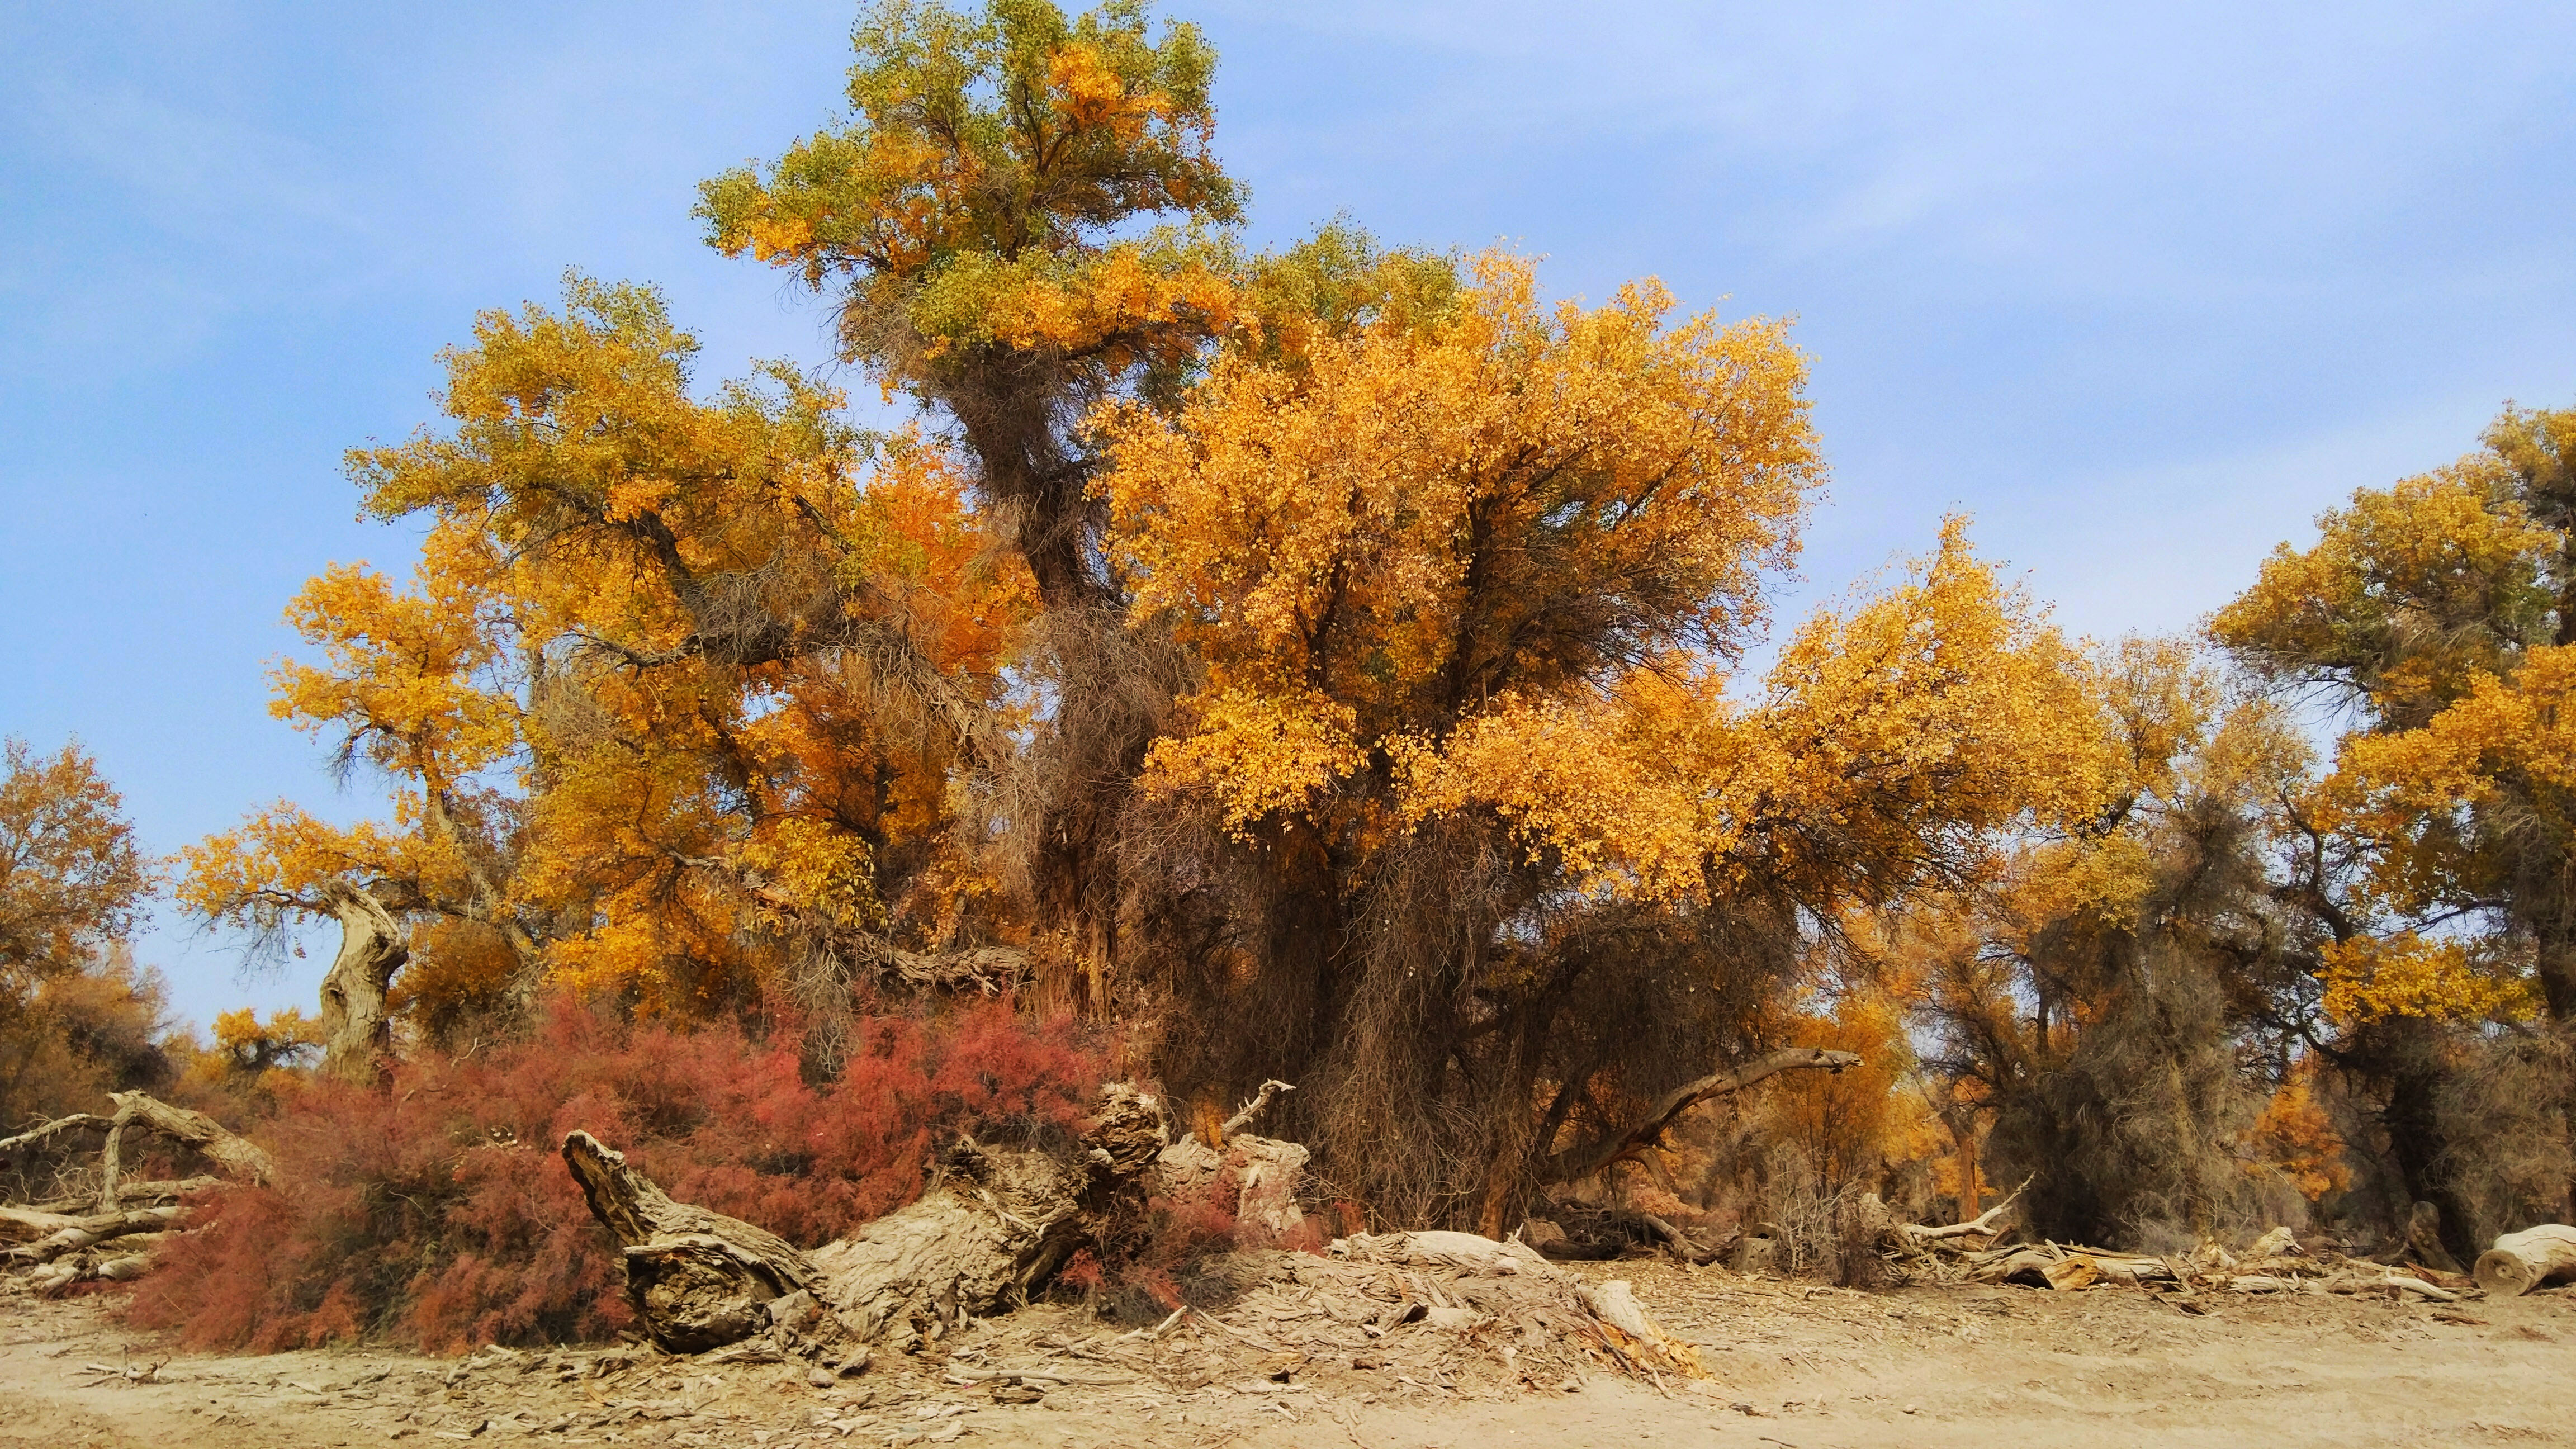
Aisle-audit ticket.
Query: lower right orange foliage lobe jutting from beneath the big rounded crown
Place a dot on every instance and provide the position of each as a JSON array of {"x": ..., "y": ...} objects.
[{"x": 1887, "y": 744}]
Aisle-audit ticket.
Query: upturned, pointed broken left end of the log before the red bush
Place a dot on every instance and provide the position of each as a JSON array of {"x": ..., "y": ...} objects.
[{"x": 697, "y": 1280}]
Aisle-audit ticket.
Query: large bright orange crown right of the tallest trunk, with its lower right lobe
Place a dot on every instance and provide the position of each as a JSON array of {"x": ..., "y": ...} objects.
[{"x": 1495, "y": 553}]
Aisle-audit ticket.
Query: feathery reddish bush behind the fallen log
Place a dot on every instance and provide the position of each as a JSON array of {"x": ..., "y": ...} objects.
[{"x": 437, "y": 1211}]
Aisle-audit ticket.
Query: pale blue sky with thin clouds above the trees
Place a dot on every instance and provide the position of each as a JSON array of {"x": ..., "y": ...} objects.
[{"x": 2139, "y": 287}]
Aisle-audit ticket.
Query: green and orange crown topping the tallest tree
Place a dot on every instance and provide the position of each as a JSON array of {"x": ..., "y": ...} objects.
[{"x": 980, "y": 195}]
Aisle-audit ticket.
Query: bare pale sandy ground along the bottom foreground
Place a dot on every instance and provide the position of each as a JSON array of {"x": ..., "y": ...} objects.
[{"x": 1797, "y": 1368}]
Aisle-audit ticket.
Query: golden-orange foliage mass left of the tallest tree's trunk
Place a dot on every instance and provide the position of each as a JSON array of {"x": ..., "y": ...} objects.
[{"x": 638, "y": 703}]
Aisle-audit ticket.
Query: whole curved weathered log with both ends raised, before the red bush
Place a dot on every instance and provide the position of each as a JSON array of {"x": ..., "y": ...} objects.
[{"x": 990, "y": 1231}]
